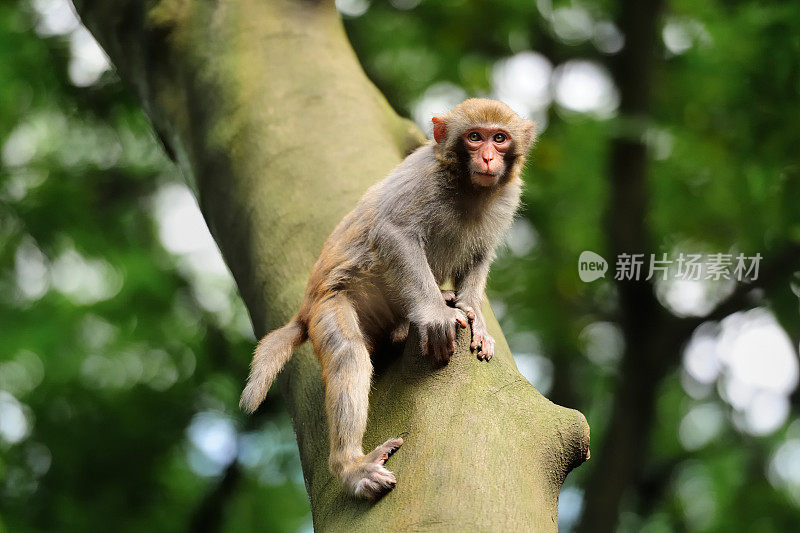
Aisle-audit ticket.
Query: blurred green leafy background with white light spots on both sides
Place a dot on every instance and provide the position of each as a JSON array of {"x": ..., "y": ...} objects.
[{"x": 124, "y": 345}]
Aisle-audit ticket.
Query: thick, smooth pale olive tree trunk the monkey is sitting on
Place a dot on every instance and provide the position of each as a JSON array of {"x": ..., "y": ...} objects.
[{"x": 267, "y": 112}]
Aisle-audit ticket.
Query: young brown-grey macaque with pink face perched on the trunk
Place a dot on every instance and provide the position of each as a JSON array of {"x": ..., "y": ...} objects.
[{"x": 438, "y": 216}]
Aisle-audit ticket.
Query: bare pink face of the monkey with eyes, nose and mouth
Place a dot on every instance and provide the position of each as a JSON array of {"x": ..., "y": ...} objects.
[{"x": 486, "y": 148}]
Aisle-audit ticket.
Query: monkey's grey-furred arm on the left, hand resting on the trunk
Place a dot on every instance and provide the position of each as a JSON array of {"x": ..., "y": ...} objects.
[{"x": 409, "y": 277}]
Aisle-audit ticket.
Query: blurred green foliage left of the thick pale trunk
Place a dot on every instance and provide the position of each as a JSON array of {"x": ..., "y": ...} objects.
[{"x": 108, "y": 344}]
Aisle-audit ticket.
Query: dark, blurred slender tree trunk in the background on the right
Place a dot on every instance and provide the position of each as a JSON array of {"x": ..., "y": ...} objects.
[{"x": 650, "y": 349}]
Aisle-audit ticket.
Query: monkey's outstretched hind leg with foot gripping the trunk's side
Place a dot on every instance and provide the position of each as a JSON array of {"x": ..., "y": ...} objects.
[{"x": 347, "y": 371}]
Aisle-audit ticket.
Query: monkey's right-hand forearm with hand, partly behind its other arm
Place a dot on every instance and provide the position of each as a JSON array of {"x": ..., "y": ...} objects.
[{"x": 469, "y": 296}]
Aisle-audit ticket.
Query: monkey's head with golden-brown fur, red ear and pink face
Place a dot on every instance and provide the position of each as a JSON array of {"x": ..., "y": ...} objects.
[{"x": 483, "y": 139}]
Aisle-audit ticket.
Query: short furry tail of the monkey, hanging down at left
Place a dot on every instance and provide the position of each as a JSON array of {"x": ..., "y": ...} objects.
[{"x": 271, "y": 354}]
